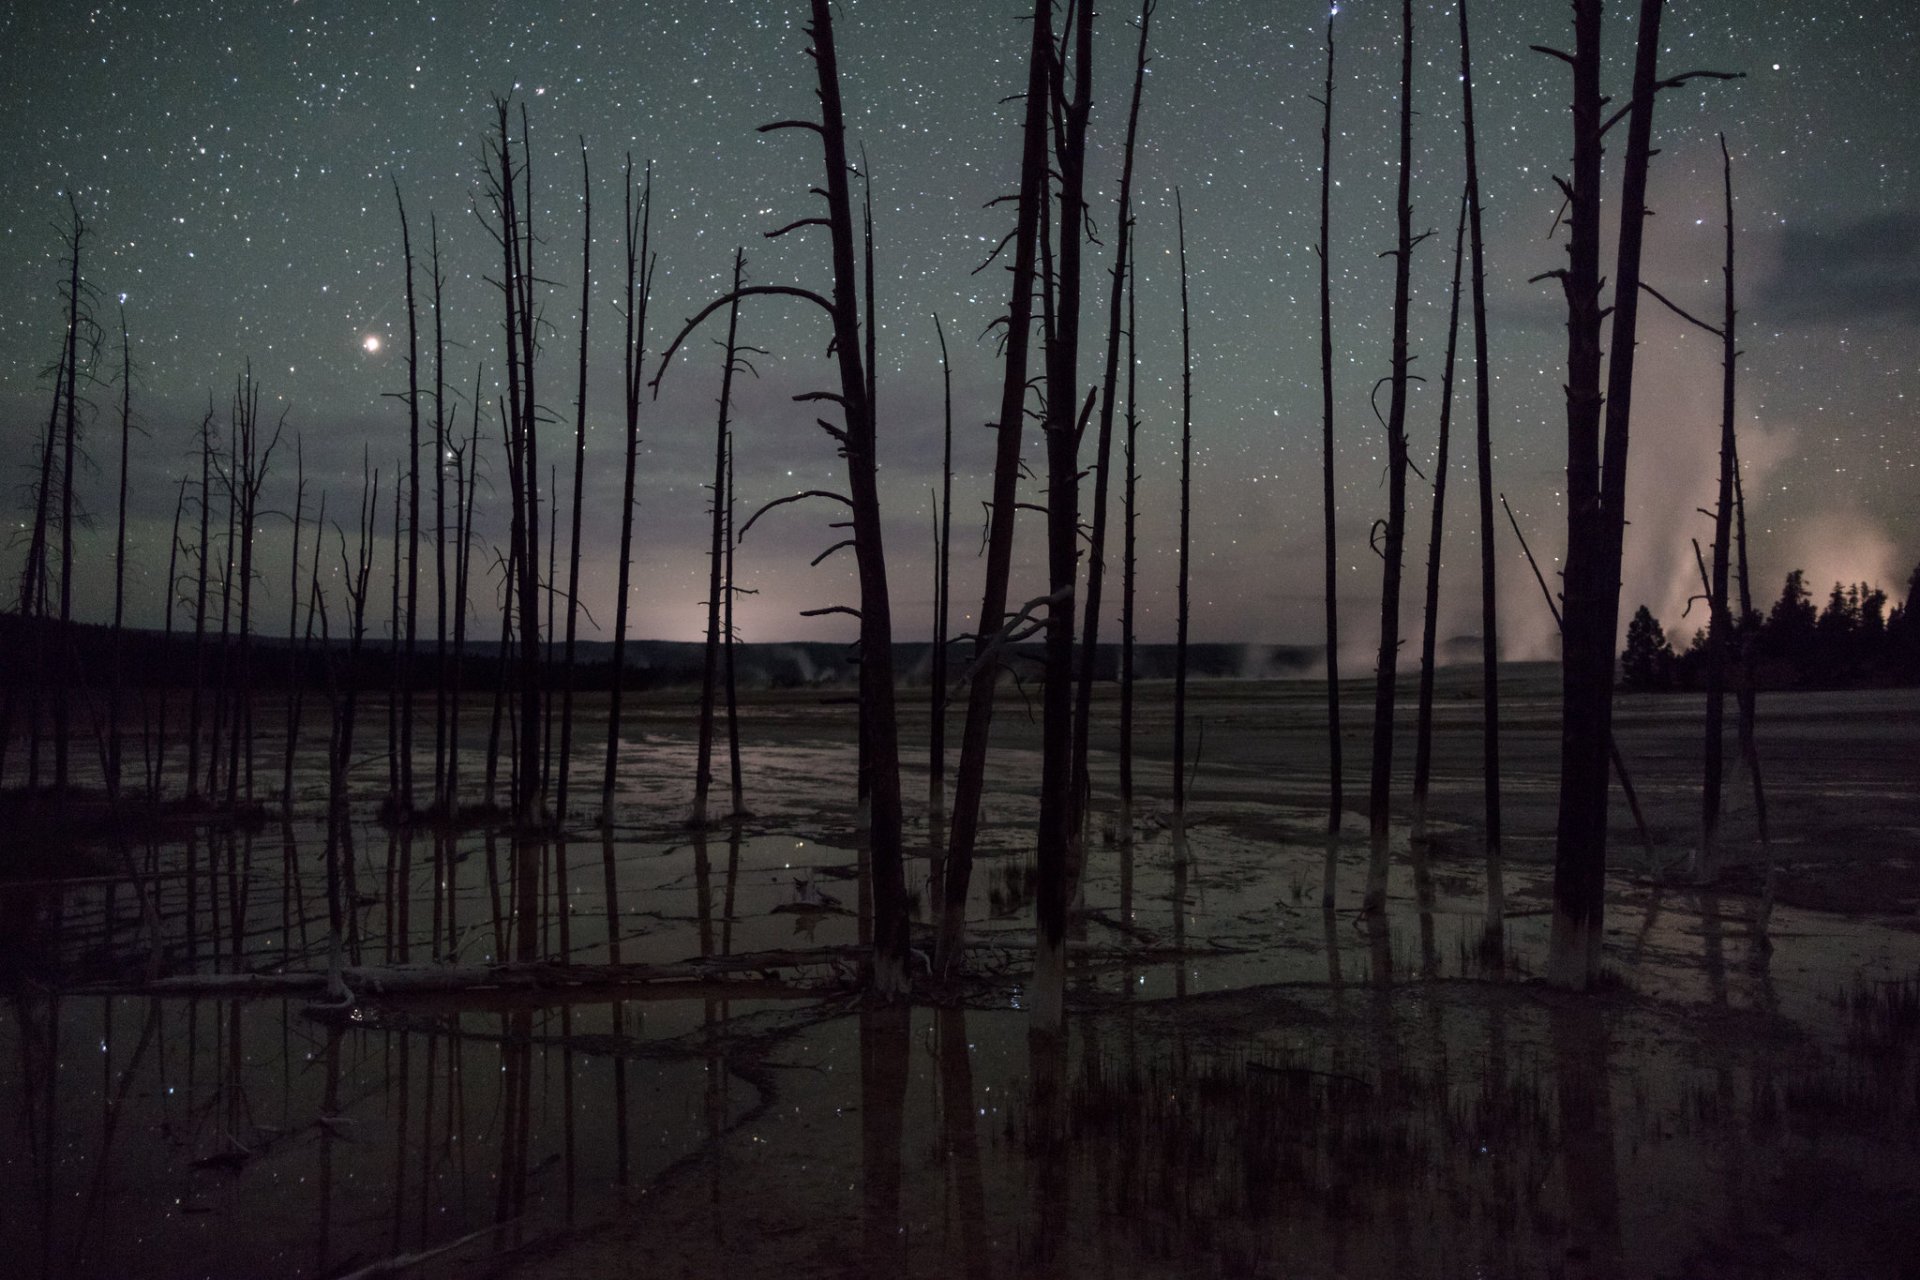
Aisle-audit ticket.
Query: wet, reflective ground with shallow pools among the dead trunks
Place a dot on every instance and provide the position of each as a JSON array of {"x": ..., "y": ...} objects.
[{"x": 1249, "y": 1087}]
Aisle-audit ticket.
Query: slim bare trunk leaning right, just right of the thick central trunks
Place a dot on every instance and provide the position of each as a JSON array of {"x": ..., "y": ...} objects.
[{"x": 1105, "y": 452}]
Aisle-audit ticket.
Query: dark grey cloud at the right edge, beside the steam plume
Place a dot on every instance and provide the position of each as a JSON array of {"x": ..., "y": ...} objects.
[{"x": 1863, "y": 270}]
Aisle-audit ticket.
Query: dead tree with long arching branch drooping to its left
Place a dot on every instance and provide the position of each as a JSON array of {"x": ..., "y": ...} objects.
[{"x": 855, "y": 440}]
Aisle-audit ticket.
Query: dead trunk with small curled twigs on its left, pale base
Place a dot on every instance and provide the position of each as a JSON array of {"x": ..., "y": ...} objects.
[{"x": 1393, "y": 554}]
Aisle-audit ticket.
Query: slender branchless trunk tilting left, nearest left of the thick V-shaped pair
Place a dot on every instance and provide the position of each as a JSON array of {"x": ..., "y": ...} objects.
[{"x": 1497, "y": 895}]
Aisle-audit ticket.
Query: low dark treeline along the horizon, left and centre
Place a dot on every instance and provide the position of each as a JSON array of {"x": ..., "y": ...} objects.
[{"x": 151, "y": 661}]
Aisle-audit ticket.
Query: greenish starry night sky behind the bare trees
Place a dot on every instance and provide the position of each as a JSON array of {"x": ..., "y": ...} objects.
[{"x": 235, "y": 164}]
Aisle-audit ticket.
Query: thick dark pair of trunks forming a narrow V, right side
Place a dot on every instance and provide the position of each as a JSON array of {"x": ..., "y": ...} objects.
[{"x": 1596, "y": 475}]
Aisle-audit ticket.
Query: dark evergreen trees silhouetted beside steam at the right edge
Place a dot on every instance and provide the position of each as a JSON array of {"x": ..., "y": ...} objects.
[{"x": 1796, "y": 646}]
